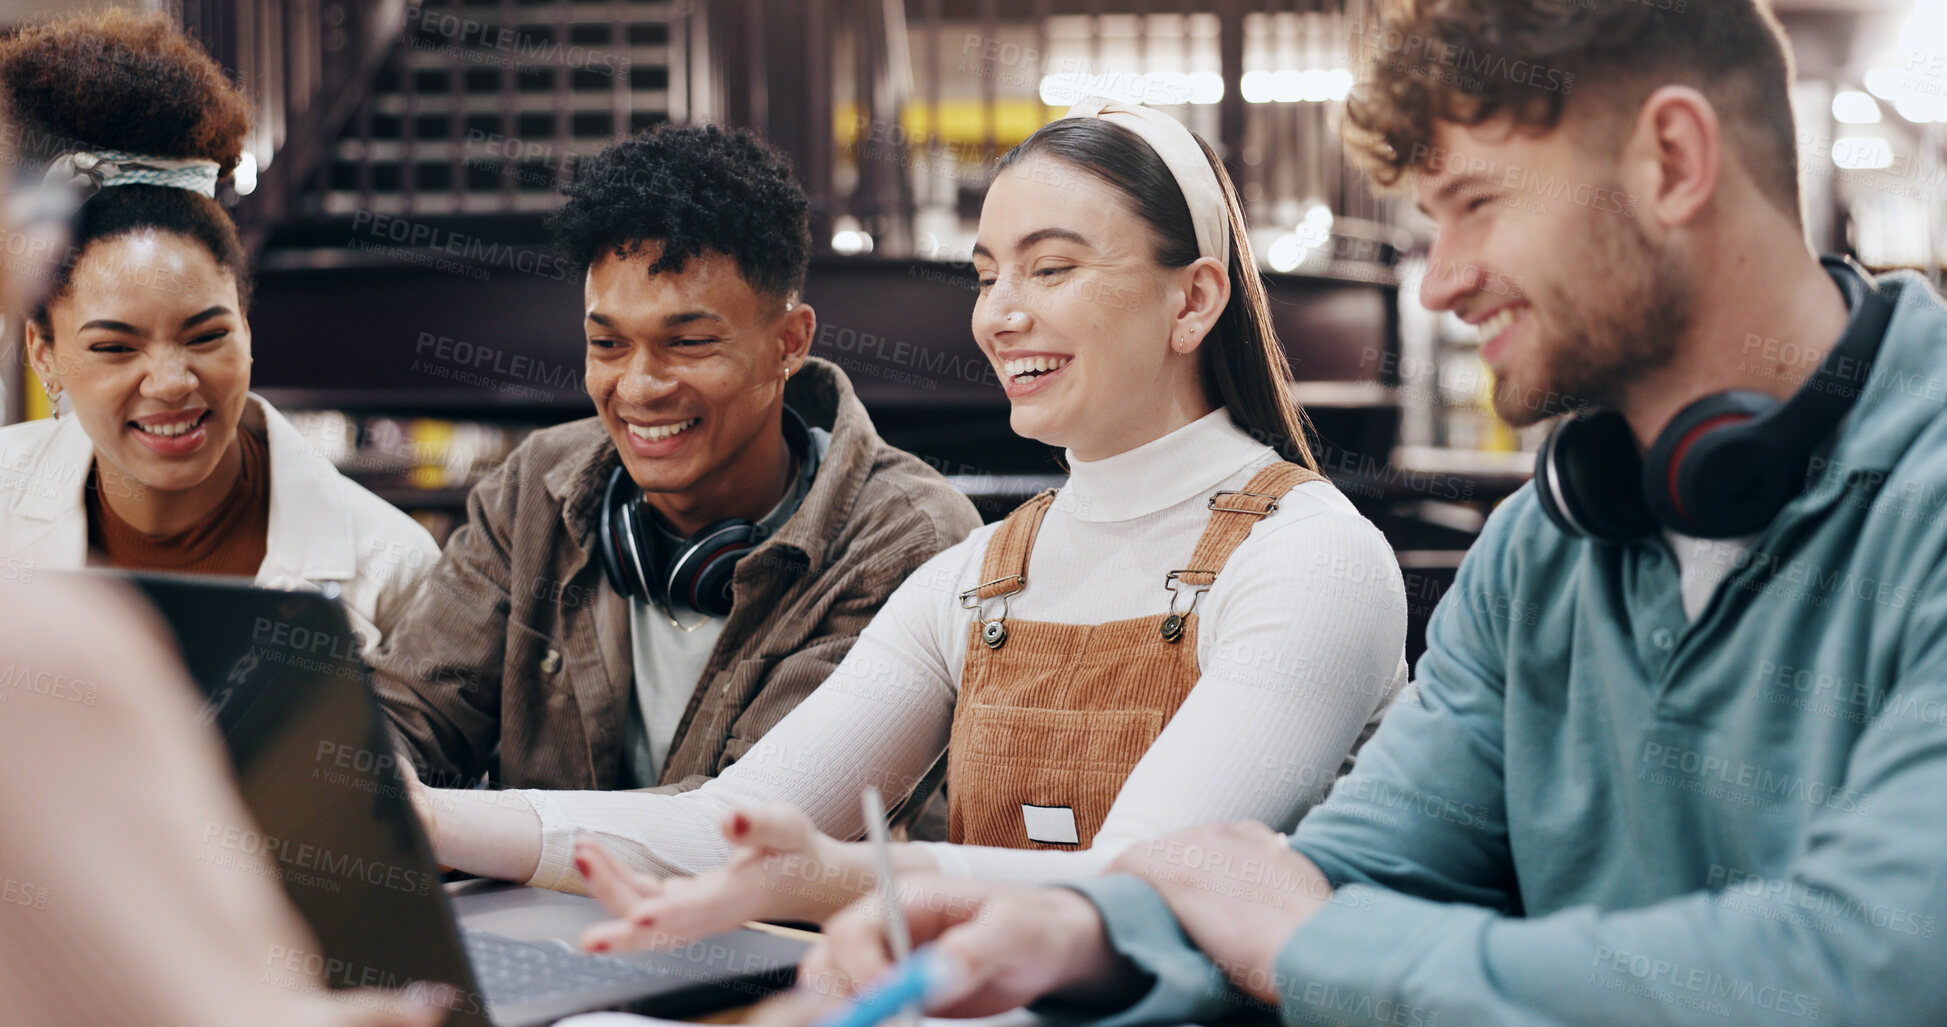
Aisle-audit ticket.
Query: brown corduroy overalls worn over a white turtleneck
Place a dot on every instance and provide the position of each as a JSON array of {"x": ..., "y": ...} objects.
[{"x": 1052, "y": 718}]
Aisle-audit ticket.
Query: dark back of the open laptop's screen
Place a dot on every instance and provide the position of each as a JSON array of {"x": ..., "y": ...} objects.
[{"x": 283, "y": 683}]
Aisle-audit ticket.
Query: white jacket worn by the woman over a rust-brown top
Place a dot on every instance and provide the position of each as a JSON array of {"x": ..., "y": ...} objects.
[{"x": 324, "y": 527}]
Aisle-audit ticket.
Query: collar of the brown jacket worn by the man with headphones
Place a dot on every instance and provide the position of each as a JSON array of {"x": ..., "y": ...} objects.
[{"x": 827, "y": 400}]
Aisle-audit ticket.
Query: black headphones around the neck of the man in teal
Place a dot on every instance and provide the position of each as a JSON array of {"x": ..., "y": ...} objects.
[{"x": 1728, "y": 463}]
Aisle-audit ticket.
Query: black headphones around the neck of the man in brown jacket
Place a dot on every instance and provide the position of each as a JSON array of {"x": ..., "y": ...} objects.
[{"x": 700, "y": 572}]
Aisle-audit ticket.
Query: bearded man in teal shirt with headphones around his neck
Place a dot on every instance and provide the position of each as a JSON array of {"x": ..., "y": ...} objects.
[{"x": 1677, "y": 747}]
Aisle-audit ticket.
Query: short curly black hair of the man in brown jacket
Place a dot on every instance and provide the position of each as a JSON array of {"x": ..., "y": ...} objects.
[{"x": 692, "y": 188}]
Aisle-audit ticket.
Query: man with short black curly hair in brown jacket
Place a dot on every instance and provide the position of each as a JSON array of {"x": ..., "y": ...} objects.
[{"x": 638, "y": 597}]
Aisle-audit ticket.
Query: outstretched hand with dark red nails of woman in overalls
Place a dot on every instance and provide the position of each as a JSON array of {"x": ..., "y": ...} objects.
[{"x": 784, "y": 870}]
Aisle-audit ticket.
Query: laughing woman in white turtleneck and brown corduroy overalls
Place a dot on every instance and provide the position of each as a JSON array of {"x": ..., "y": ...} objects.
[{"x": 1194, "y": 628}]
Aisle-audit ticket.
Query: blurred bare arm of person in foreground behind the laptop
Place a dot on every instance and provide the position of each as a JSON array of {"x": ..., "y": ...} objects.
[{"x": 112, "y": 909}]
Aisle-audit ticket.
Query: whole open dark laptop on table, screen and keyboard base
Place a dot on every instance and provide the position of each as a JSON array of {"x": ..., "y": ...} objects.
[{"x": 316, "y": 765}]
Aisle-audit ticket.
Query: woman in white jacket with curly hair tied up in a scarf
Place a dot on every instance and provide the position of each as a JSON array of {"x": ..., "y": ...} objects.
[{"x": 165, "y": 461}]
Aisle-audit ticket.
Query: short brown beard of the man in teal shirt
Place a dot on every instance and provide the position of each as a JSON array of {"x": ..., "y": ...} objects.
[{"x": 1623, "y": 324}]
